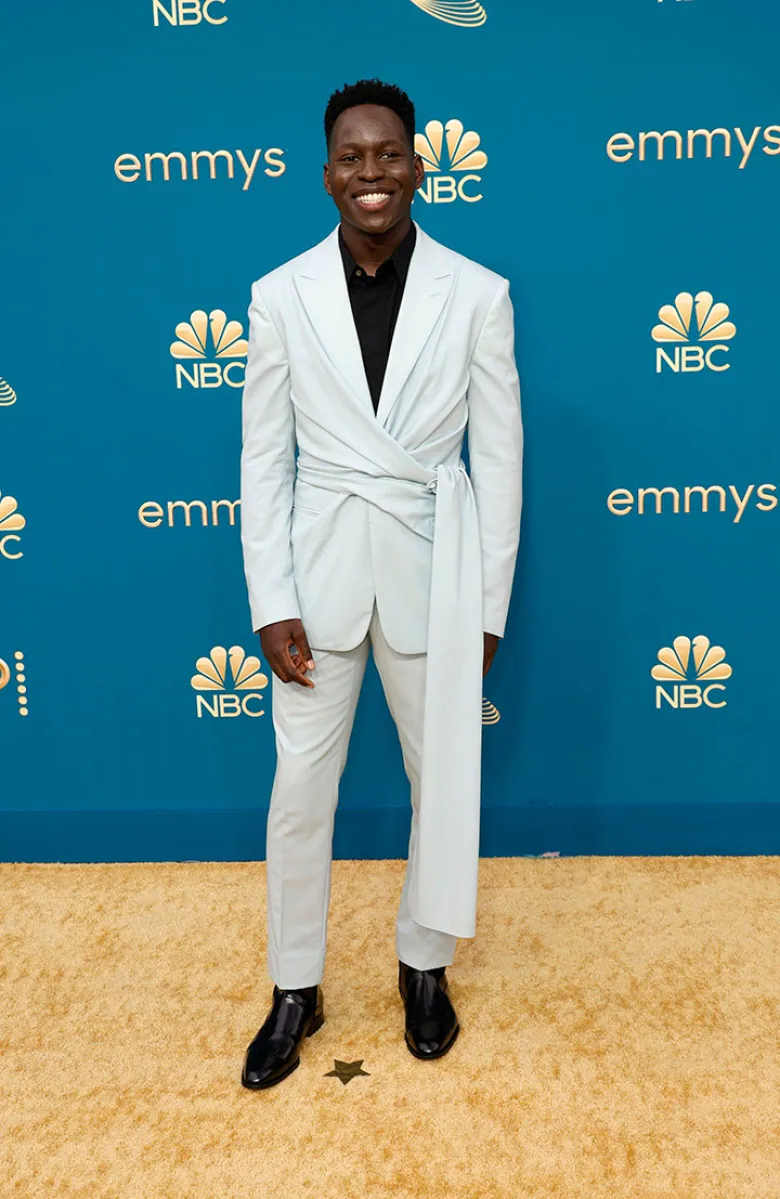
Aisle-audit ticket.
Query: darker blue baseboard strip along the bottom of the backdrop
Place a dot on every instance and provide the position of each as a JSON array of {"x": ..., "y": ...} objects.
[{"x": 239, "y": 835}]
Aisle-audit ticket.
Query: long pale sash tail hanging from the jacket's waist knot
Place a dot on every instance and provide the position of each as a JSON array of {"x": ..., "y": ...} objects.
[{"x": 444, "y": 884}]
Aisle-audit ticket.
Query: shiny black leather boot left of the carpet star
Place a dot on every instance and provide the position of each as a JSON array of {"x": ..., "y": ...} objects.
[{"x": 276, "y": 1051}]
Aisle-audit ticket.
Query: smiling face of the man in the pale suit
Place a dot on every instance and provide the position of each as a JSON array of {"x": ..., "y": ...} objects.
[{"x": 372, "y": 172}]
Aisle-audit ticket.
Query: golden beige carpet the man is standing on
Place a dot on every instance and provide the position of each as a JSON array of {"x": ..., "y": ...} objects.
[{"x": 620, "y": 1038}]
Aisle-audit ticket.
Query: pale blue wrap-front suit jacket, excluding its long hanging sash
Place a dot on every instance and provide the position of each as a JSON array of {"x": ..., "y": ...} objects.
[{"x": 319, "y": 543}]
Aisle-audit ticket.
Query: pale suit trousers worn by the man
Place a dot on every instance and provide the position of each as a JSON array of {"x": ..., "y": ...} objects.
[{"x": 313, "y": 731}]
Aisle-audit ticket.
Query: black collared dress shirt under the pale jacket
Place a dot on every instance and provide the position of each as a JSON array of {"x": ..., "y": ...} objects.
[{"x": 376, "y": 302}]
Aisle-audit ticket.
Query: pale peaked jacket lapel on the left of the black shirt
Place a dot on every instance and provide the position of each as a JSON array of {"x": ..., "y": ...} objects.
[{"x": 322, "y": 290}]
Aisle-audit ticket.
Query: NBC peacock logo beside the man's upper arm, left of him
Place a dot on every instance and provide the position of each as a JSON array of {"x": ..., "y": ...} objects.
[{"x": 204, "y": 339}]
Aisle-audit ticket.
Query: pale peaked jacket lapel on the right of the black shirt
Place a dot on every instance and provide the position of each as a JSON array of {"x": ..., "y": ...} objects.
[{"x": 428, "y": 284}]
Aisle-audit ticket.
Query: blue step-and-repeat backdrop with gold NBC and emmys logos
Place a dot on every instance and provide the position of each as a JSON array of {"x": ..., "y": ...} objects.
[{"x": 620, "y": 162}]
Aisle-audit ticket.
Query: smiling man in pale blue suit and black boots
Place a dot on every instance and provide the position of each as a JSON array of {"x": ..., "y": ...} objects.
[{"x": 373, "y": 353}]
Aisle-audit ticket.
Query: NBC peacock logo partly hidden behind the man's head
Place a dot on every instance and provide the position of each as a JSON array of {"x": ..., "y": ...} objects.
[{"x": 451, "y": 158}]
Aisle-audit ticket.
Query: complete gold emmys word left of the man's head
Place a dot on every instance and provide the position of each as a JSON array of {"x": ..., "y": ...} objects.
[{"x": 182, "y": 167}]
